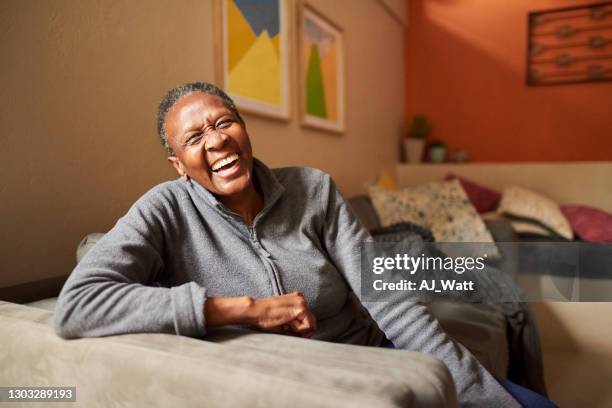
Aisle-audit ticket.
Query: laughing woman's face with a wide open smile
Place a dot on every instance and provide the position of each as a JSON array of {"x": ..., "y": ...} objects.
[{"x": 210, "y": 144}]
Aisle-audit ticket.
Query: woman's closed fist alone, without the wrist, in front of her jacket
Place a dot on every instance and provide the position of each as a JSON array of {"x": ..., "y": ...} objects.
[{"x": 286, "y": 313}]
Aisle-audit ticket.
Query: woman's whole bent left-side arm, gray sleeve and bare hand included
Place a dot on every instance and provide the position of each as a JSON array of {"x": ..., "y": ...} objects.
[{"x": 110, "y": 291}]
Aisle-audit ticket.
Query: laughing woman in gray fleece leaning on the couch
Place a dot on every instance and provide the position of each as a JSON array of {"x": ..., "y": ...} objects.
[{"x": 234, "y": 242}]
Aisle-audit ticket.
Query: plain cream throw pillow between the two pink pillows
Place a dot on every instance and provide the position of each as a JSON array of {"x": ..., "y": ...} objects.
[{"x": 520, "y": 202}]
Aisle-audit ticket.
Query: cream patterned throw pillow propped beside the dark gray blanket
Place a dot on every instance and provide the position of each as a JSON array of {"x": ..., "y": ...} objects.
[{"x": 441, "y": 206}]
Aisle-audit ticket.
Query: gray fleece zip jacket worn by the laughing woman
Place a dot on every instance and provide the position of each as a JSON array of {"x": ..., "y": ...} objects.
[{"x": 178, "y": 245}]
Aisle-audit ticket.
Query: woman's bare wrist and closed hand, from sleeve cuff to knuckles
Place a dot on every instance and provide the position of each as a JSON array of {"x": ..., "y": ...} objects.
[{"x": 279, "y": 314}]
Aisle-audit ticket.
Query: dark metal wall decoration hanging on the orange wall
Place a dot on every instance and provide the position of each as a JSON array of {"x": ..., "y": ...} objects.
[{"x": 570, "y": 45}]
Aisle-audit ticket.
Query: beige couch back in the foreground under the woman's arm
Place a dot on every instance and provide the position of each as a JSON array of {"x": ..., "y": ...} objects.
[{"x": 230, "y": 368}]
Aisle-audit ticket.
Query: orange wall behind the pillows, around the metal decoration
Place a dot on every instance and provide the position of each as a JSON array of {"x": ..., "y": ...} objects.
[{"x": 465, "y": 69}]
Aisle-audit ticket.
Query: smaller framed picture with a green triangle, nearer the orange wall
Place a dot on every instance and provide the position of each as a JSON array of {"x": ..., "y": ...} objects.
[{"x": 321, "y": 76}]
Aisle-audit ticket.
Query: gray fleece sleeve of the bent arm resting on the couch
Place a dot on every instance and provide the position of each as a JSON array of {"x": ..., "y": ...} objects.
[{"x": 111, "y": 291}]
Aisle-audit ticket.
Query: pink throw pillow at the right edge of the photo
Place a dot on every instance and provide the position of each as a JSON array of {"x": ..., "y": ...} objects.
[{"x": 590, "y": 224}]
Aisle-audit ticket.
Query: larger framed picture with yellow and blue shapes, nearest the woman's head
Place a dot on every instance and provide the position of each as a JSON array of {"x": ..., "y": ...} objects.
[{"x": 252, "y": 41}]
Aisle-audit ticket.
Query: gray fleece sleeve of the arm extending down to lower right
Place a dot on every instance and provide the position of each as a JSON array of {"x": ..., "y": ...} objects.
[{"x": 406, "y": 322}]
